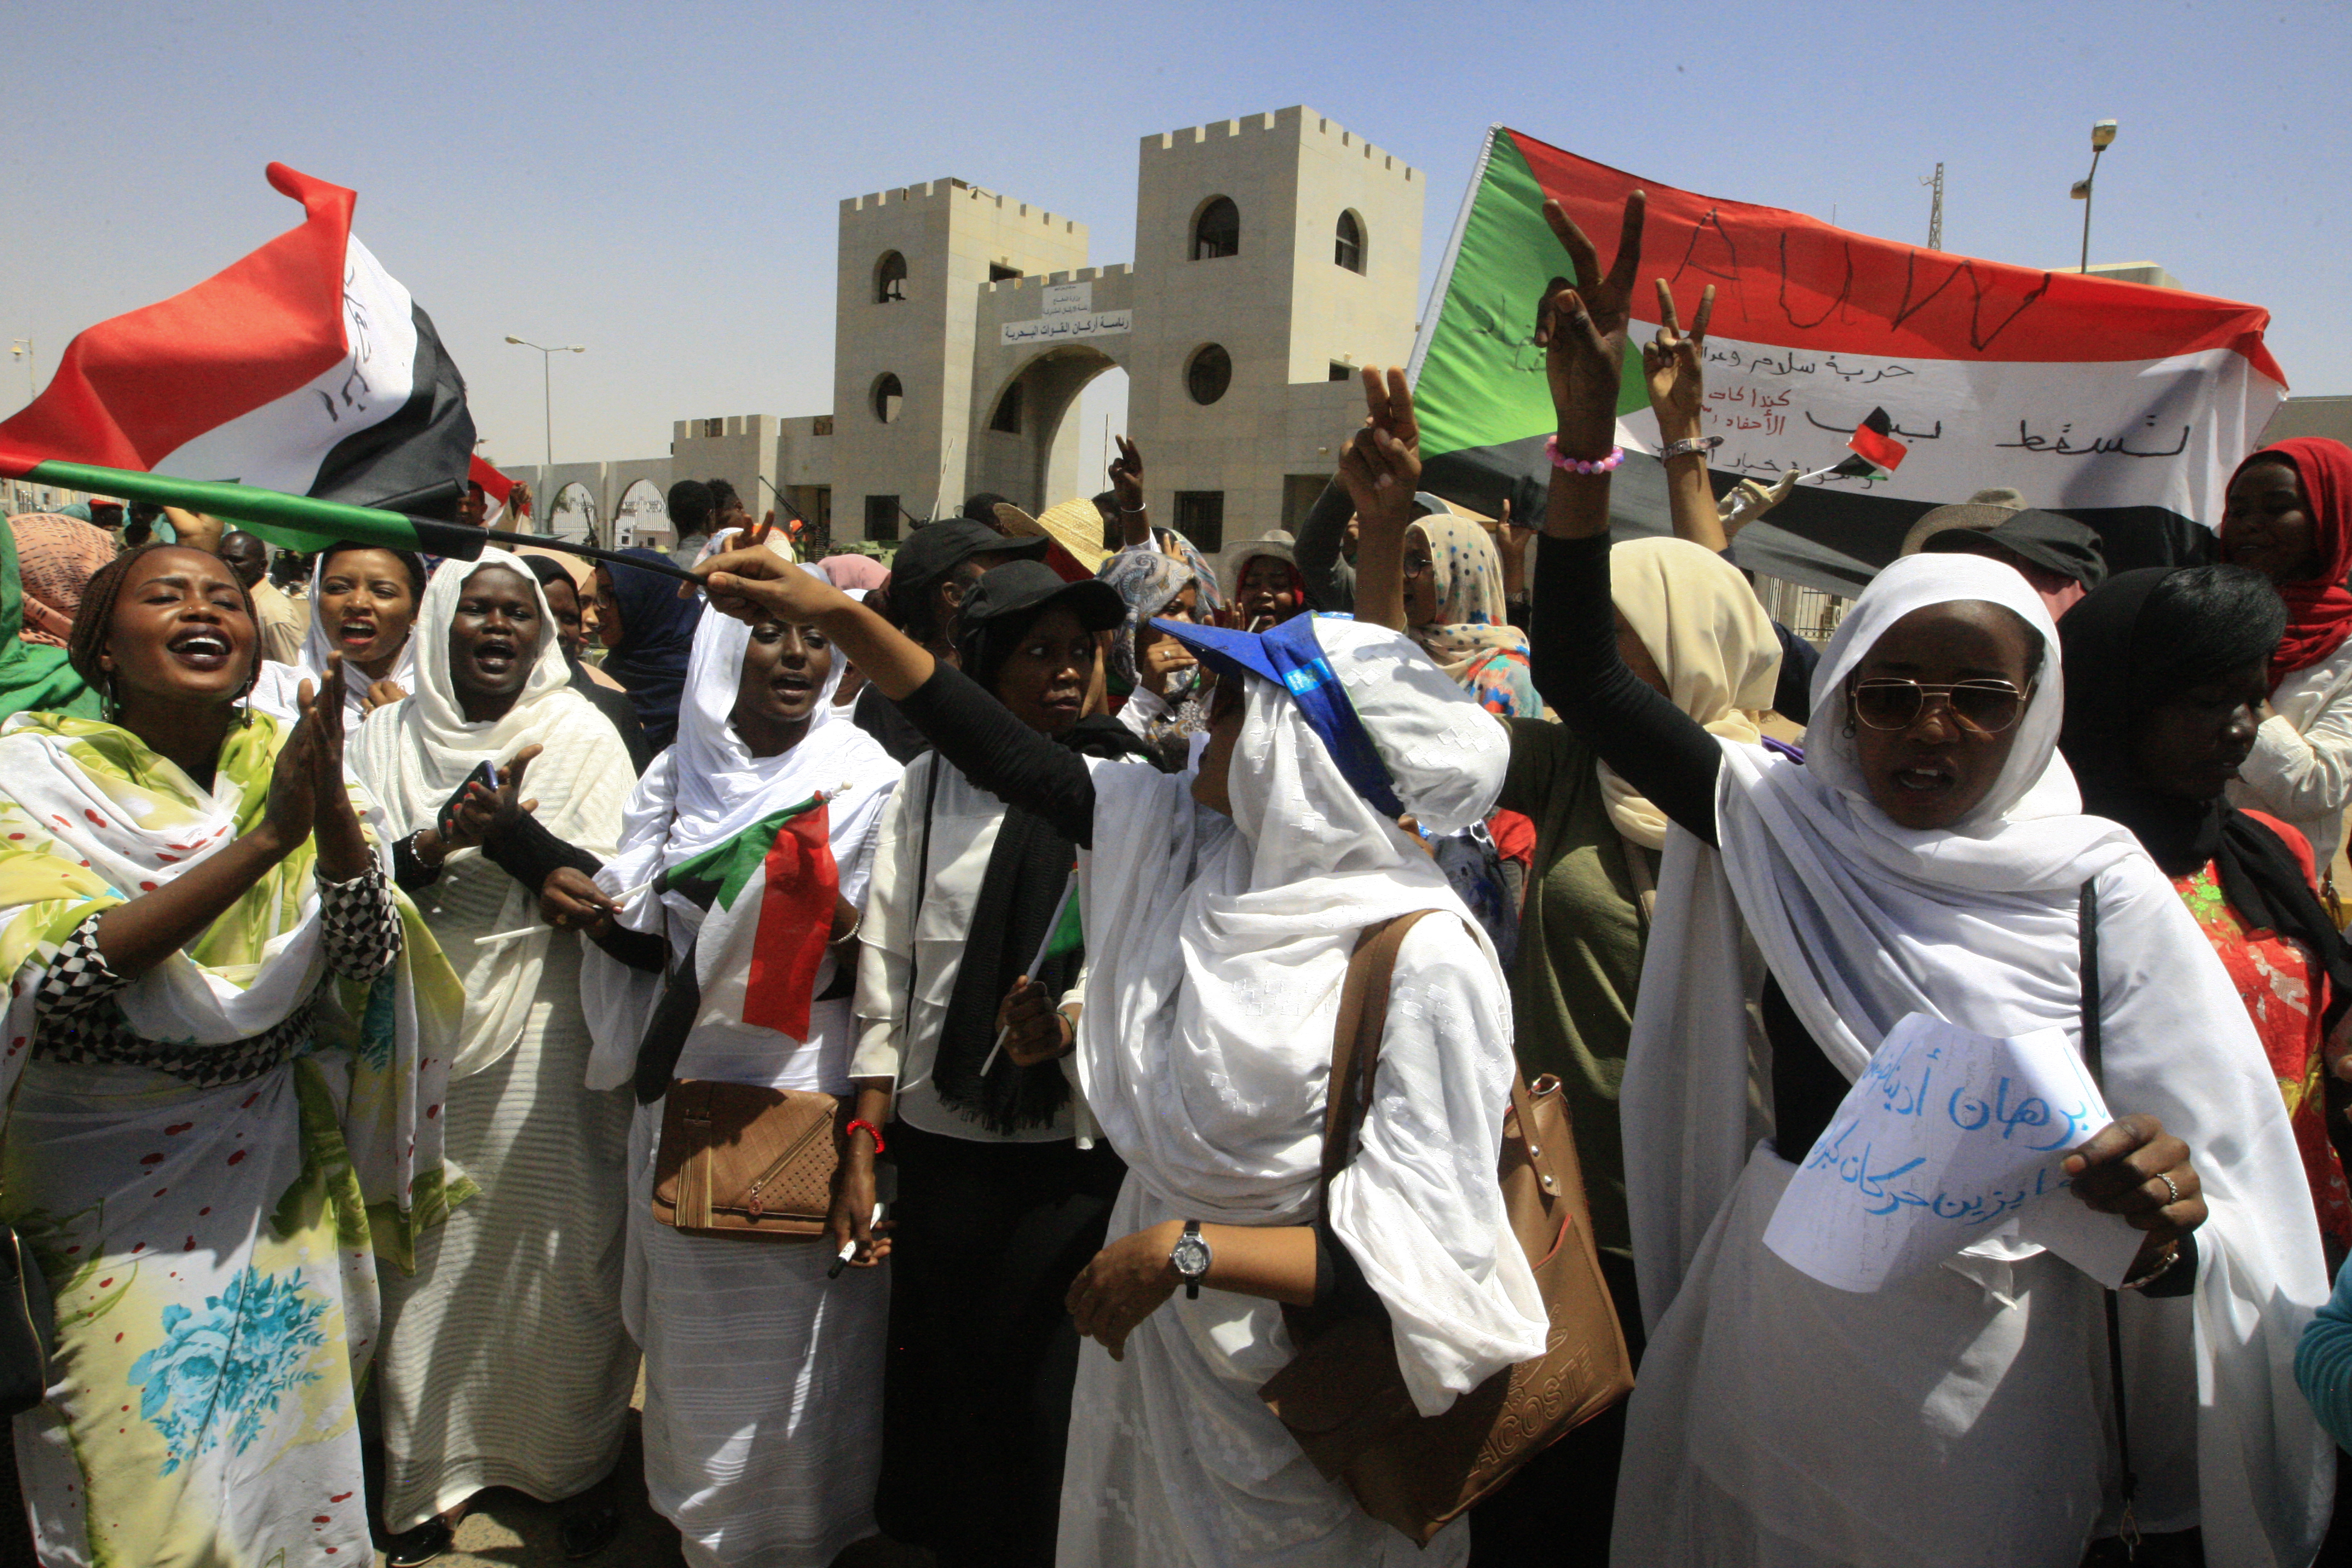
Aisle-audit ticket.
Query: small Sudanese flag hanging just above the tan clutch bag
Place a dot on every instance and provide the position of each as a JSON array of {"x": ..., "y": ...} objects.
[{"x": 770, "y": 897}]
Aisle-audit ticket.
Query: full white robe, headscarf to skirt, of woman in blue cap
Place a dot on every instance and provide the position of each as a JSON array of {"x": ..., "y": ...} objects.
[{"x": 1217, "y": 956}]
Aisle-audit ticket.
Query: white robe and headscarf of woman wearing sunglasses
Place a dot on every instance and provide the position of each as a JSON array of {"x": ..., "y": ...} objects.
[{"x": 1958, "y": 1419}]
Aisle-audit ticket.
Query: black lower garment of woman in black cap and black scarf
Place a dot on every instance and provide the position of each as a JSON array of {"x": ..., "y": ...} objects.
[{"x": 982, "y": 1358}]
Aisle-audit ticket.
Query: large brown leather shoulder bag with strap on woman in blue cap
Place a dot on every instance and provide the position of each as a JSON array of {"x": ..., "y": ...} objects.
[{"x": 1344, "y": 1398}]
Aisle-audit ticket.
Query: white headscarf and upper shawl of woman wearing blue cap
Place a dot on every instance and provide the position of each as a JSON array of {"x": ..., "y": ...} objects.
[{"x": 1217, "y": 953}]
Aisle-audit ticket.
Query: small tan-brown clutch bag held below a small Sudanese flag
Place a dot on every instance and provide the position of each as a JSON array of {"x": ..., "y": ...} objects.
[{"x": 747, "y": 1162}]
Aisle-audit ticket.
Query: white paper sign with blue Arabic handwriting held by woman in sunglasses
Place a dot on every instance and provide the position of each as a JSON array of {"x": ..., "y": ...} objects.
[{"x": 1944, "y": 1141}]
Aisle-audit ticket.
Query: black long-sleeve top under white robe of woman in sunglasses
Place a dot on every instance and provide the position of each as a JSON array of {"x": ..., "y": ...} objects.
[{"x": 1669, "y": 758}]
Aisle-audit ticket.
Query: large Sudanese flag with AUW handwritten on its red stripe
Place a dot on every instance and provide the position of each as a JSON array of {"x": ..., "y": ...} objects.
[{"x": 2113, "y": 403}]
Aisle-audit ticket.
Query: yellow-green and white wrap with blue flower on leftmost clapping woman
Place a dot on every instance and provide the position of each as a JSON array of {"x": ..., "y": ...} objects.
[{"x": 206, "y": 1160}]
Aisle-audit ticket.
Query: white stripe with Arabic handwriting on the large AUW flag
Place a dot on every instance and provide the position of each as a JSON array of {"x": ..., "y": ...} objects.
[{"x": 2064, "y": 436}]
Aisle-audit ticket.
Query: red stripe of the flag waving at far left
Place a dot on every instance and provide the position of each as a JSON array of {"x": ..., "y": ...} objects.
[{"x": 262, "y": 328}]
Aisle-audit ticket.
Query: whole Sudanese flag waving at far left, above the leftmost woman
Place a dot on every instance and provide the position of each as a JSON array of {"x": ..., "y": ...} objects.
[{"x": 300, "y": 391}]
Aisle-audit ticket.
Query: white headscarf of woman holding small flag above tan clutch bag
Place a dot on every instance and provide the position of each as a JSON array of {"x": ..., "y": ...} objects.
[{"x": 704, "y": 791}]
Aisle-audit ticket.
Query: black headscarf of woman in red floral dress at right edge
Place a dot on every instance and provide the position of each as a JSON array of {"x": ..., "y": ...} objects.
[{"x": 2257, "y": 871}]
